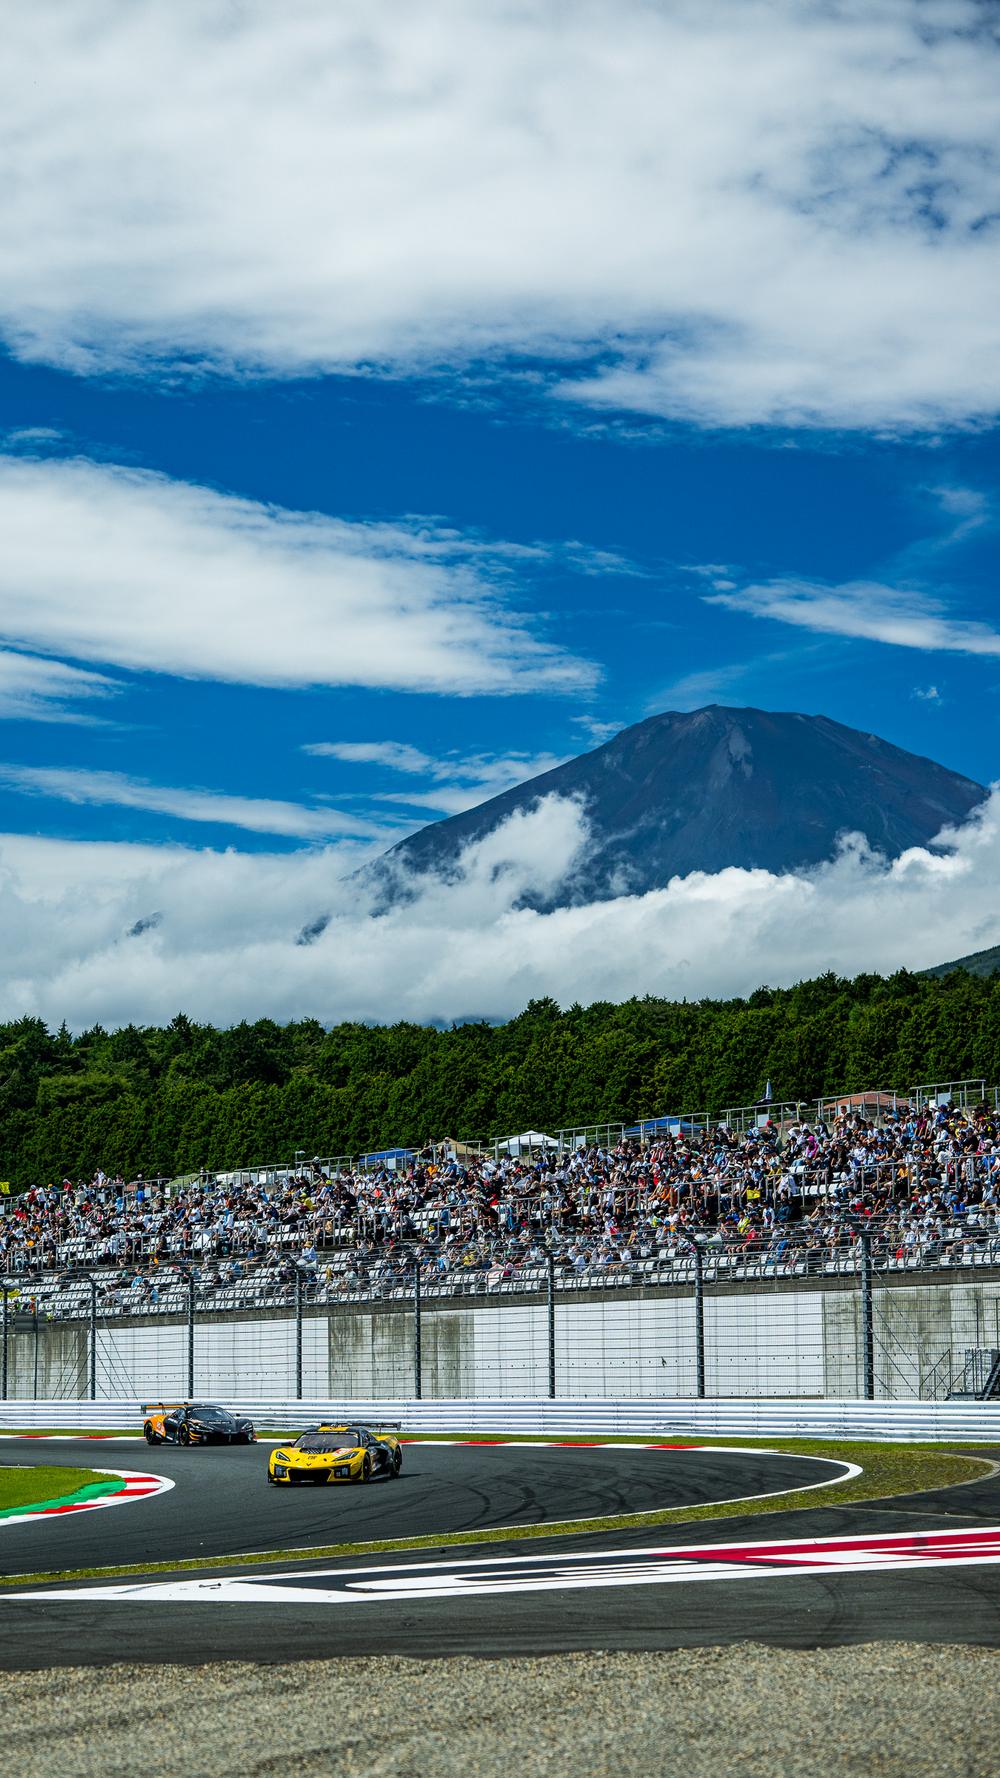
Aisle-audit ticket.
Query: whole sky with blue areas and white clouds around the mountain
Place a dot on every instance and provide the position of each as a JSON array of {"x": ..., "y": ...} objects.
[{"x": 392, "y": 410}]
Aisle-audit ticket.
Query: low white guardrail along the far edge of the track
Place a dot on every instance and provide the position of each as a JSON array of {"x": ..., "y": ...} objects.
[{"x": 885, "y": 1422}]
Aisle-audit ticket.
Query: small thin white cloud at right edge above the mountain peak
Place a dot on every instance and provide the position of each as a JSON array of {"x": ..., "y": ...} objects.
[{"x": 867, "y": 611}]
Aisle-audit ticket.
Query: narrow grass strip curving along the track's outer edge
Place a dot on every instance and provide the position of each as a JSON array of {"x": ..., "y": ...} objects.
[{"x": 887, "y": 1471}]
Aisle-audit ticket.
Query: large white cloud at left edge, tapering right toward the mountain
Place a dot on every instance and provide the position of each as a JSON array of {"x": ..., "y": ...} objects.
[{"x": 122, "y": 566}]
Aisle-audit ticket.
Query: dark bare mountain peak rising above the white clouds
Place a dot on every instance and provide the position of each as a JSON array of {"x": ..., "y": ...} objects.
[{"x": 704, "y": 790}]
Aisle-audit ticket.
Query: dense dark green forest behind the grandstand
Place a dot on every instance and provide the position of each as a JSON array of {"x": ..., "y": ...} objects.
[{"x": 166, "y": 1101}]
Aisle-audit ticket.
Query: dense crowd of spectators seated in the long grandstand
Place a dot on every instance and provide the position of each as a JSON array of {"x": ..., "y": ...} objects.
[{"x": 784, "y": 1196}]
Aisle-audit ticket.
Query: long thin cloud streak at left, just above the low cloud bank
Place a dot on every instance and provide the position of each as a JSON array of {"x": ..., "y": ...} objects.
[{"x": 257, "y": 815}]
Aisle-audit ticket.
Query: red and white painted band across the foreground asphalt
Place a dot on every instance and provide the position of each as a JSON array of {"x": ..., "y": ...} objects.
[{"x": 891, "y": 1553}]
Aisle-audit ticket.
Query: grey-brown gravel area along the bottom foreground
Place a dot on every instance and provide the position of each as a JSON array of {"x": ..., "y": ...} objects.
[{"x": 880, "y": 1711}]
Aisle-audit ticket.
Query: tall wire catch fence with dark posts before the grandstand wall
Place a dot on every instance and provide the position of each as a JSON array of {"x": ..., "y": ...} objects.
[{"x": 819, "y": 1320}]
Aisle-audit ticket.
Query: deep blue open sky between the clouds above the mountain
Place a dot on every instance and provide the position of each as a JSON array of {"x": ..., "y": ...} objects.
[{"x": 634, "y": 529}]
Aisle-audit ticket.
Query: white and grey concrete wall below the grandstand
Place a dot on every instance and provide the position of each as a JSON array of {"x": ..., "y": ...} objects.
[{"x": 771, "y": 1343}]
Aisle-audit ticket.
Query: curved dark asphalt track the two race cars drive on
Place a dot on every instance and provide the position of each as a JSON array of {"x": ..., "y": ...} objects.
[{"x": 222, "y": 1503}]
